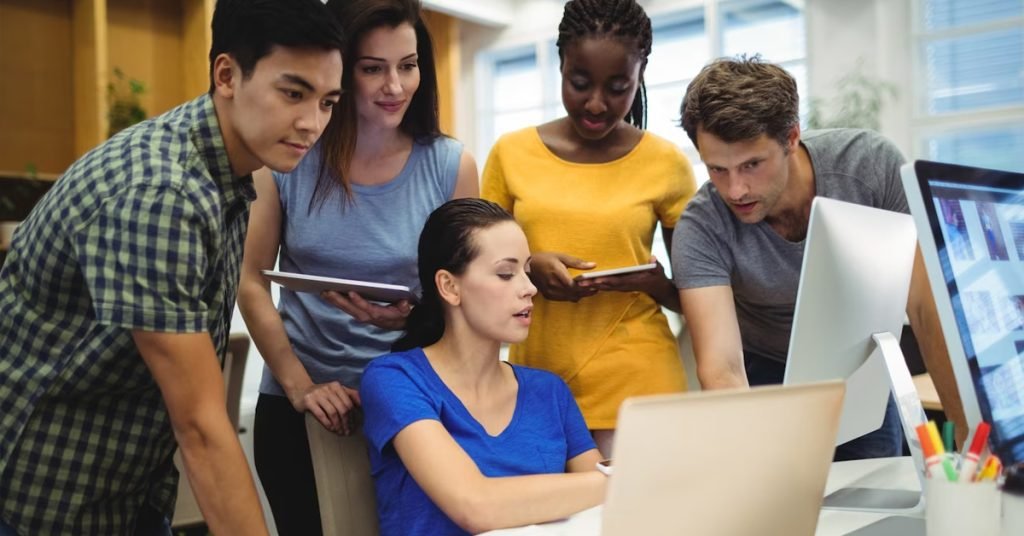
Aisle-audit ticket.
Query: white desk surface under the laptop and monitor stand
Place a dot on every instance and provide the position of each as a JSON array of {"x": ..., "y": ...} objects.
[{"x": 894, "y": 474}]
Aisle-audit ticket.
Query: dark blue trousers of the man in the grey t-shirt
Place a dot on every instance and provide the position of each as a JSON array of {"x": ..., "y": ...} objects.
[{"x": 883, "y": 443}]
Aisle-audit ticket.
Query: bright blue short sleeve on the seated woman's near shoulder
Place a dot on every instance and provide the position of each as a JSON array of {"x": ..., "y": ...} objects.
[{"x": 392, "y": 401}]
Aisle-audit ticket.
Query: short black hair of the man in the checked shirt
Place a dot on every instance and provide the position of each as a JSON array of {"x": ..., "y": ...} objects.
[{"x": 247, "y": 30}]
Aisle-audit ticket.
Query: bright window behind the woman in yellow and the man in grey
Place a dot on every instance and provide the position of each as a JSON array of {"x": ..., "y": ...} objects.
[{"x": 525, "y": 84}]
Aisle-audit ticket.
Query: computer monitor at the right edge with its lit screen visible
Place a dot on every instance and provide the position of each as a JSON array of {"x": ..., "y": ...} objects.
[{"x": 971, "y": 224}]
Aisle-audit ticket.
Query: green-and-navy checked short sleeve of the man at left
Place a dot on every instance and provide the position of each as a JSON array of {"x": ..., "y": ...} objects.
[{"x": 144, "y": 257}]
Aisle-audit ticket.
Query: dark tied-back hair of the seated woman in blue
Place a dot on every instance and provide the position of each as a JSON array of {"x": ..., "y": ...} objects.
[{"x": 446, "y": 243}]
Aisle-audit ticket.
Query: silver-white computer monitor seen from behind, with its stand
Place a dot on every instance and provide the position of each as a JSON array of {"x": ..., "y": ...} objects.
[{"x": 851, "y": 305}]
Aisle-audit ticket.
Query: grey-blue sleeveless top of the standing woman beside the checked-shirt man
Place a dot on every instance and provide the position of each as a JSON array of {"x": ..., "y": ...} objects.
[{"x": 372, "y": 237}]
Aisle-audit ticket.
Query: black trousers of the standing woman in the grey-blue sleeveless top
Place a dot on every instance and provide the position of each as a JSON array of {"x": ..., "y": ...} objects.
[{"x": 285, "y": 468}]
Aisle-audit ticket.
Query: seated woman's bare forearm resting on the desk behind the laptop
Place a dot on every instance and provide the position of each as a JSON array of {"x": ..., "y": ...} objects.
[{"x": 515, "y": 502}]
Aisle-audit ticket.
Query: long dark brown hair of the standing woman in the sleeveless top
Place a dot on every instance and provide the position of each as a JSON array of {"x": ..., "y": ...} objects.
[{"x": 338, "y": 143}]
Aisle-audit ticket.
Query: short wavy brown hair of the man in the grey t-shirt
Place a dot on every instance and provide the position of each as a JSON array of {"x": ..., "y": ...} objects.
[{"x": 741, "y": 99}]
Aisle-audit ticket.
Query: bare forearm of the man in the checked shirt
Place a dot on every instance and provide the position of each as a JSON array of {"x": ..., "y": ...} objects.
[{"x": 220, "y": 476}]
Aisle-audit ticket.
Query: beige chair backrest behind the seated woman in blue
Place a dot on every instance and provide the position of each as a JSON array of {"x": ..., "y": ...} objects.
[{"x": 345, "y": 486}]
